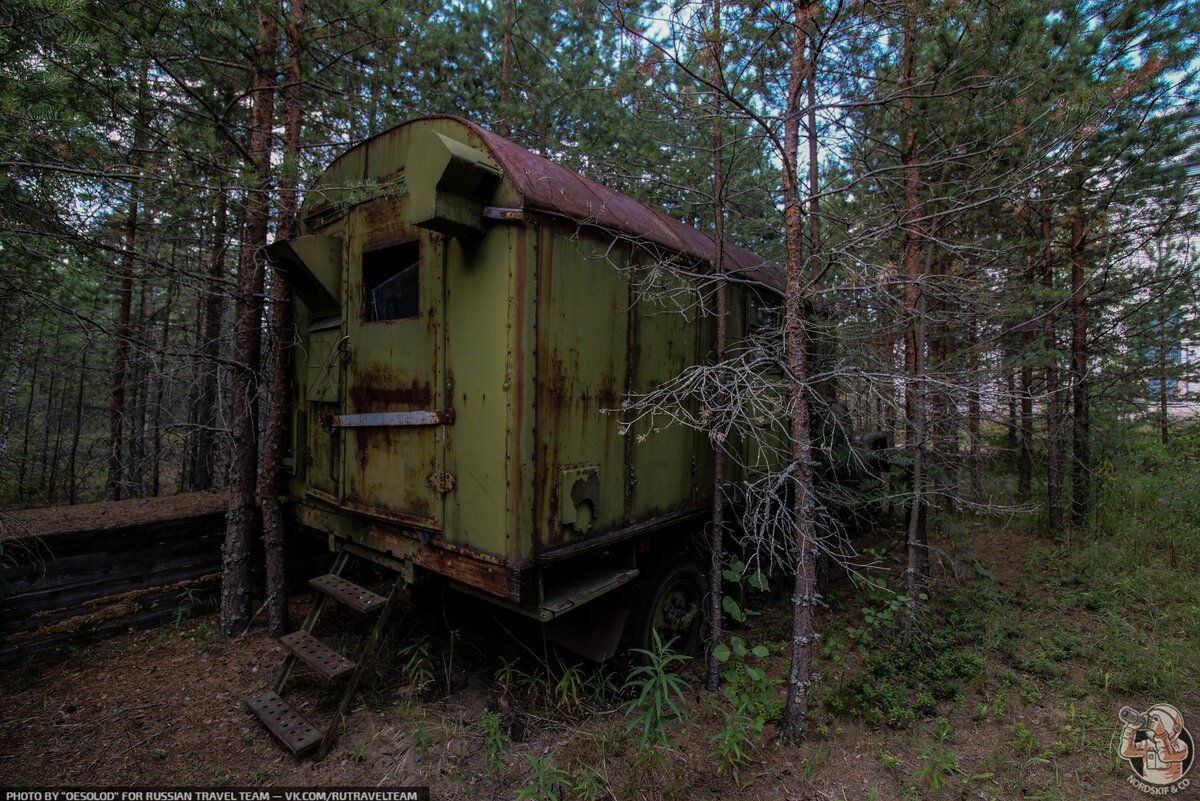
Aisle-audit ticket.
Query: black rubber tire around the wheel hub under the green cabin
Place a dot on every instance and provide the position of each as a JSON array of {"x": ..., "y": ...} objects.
[{"x": 670, "y": 575}]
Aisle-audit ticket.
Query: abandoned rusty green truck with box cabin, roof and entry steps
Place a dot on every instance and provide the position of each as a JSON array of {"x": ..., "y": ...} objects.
[{"x": 467, "y": 314}]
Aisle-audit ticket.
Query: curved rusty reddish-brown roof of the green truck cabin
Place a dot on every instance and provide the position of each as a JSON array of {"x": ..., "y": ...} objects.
[{"x": 550, "y": 188}]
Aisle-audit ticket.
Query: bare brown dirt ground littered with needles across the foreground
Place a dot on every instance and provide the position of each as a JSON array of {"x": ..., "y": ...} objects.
[{"x": 164, "y": 707}]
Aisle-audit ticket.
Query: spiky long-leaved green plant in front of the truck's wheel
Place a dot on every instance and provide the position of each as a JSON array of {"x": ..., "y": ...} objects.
[{"x": 657, "y": 706}]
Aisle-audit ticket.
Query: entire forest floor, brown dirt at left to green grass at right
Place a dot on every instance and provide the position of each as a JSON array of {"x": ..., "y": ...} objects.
[{"x": 1012, "y": 690}]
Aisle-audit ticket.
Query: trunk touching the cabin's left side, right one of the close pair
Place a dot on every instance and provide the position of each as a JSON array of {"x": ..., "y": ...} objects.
[{"x": 280, "y": 327}]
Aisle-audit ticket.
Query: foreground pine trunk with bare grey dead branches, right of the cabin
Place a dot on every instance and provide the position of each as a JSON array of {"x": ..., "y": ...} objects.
[{"x": 796, "y": 298}]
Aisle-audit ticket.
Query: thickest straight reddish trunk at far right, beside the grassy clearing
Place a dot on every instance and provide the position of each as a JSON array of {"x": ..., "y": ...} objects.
[{"x": 1081, "y": 478}]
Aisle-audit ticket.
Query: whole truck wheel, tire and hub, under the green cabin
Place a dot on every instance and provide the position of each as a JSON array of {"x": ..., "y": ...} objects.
[{"x": 669, "y": 600}]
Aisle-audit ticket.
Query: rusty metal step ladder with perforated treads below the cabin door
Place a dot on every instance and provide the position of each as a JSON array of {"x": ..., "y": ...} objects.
[{"x": 287, "y": 725}]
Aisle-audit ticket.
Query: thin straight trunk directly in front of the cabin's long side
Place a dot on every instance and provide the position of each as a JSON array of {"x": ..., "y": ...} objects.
[{"x": 717, "y": 537}]
